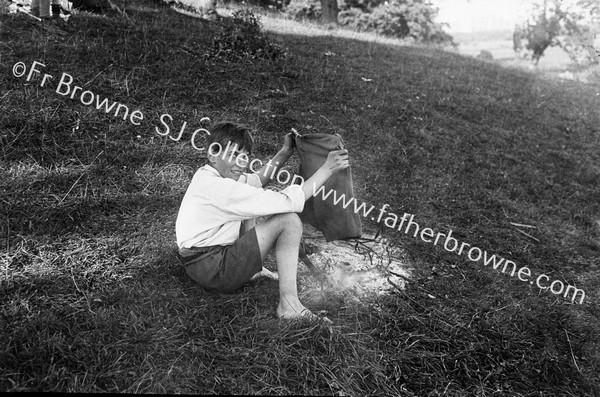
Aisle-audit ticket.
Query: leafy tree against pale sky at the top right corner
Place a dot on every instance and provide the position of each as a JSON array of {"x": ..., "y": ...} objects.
[{"x": 570, "y": 24}]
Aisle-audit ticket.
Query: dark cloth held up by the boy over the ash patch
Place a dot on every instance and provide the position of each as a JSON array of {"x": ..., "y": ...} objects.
[{"x": 335, "y": 221}]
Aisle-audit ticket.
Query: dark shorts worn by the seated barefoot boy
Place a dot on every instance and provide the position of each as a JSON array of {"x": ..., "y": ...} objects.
[{"x": 224, "y": 268}]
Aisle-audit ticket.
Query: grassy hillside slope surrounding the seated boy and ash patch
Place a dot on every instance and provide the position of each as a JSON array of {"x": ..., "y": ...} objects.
[{"x": 94, "y": 300}]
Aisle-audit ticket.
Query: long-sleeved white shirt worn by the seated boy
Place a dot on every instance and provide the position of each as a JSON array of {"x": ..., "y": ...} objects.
[{"x": 213, "y": 207}]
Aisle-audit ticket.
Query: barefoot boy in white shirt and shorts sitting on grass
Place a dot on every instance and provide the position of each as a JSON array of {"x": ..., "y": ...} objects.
[{"x": 218, "y": 242}]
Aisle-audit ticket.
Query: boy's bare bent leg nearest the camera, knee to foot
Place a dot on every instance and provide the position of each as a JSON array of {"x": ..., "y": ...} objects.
[{"x": 284, "y": 231}]
